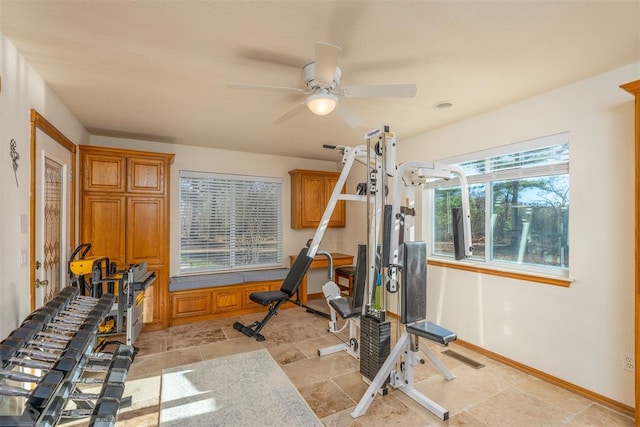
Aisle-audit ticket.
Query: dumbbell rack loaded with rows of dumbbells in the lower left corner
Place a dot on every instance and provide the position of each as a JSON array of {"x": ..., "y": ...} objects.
[{"x": 47, "y": 361}]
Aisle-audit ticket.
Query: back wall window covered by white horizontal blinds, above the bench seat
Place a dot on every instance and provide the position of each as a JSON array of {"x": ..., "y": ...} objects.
[{"x": 229, "y": 222}]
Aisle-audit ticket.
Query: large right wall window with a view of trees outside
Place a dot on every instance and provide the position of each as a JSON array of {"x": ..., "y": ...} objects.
[{"x": 519, "y": 202}]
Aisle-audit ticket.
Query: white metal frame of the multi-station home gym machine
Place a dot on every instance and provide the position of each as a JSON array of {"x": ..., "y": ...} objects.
[{"x": 389, "y": 226}]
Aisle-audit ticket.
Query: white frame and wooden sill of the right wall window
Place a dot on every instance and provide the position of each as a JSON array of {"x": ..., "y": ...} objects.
[{"x": 558, "y": 276}]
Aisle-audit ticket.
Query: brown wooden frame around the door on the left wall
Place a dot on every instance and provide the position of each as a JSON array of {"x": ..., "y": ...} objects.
[{"x": 39, "y": 122}]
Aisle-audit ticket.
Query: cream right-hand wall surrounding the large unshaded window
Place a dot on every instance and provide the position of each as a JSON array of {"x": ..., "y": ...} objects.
[{"x": 578, "y": 333}]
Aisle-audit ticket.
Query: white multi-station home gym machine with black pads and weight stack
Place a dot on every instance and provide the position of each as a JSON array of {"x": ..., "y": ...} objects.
[{"x": 396, "y": 264}]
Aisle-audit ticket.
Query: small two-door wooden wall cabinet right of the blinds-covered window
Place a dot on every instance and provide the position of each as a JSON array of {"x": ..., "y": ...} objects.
[{"x": 310, "y": 194}]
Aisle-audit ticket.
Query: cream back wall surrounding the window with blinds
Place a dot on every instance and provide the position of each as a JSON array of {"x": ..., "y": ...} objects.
[{"x": 232, "y": 162}]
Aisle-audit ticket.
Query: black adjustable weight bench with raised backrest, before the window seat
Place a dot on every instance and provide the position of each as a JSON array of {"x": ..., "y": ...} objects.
[{"x": 274, "y": 299}]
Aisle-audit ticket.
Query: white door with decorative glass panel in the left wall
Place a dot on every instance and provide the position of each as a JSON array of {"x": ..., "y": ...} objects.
[{"x": 53, "y": 168}]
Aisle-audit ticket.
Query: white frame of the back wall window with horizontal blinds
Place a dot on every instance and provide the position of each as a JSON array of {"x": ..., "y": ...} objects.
[{"x": 223, "y": 181}]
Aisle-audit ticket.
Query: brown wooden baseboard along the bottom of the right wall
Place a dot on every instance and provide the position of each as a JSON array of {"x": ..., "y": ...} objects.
[{"x": 603, "y": 400}]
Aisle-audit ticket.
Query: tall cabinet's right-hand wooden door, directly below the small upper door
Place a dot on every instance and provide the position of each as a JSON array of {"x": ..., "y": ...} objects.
[{"x": 145, "y": 230}]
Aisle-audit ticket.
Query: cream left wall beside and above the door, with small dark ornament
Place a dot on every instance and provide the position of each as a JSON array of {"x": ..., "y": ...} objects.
[{"x": 22, "y": 90}]
